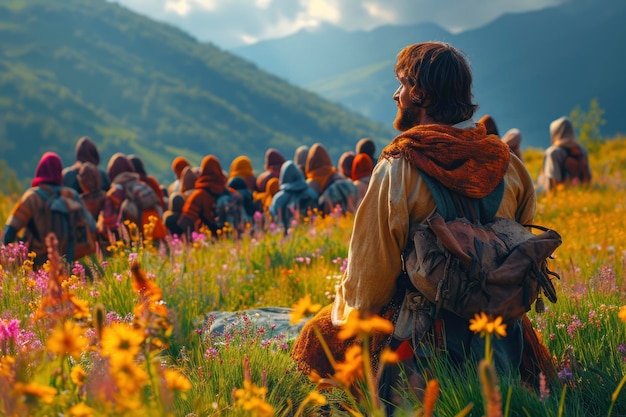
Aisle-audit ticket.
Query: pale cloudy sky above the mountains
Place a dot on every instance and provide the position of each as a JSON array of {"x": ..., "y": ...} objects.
[{"x": 233, "y": 23}]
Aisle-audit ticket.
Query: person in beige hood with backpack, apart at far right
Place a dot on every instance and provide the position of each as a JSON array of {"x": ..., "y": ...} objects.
[{"x": 565, "y": 161}]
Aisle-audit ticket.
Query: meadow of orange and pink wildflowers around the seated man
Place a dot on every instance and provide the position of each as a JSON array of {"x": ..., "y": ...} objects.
[{"x": 131, "y": 335}]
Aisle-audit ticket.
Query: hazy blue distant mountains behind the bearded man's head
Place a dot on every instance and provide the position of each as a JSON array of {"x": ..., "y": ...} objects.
[{"x": 529, "y": 68}]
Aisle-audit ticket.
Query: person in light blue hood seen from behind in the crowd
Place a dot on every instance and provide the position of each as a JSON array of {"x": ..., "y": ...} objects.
[{"x": 294, "y": 198}]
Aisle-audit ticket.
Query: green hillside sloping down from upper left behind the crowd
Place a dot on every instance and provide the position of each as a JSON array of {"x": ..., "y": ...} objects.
[{"x": 70, "y": 68}]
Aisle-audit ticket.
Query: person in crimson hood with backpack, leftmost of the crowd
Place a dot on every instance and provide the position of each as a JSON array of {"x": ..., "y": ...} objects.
[{"x": 31, "y": 214}]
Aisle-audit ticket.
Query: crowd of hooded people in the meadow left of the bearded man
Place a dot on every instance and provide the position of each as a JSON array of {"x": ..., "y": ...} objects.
[{"x": 208, "y": 196}]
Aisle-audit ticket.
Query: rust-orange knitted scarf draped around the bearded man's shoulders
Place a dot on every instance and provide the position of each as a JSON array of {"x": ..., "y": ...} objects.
[{"x": 467, "y": 161}]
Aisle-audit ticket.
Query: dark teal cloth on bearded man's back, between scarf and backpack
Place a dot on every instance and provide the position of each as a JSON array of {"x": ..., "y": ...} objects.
[{"x": 451, "y": 205}]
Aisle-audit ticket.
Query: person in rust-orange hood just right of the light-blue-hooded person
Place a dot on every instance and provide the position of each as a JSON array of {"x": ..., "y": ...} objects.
[{"x": 334, "y": 189}]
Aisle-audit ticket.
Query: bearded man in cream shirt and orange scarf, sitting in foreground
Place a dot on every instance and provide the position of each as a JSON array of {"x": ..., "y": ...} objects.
[{"x": 440, "y": 140}]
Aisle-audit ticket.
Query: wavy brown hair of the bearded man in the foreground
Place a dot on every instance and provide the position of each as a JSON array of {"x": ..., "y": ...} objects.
[{"x": 441, "y": 80}]
